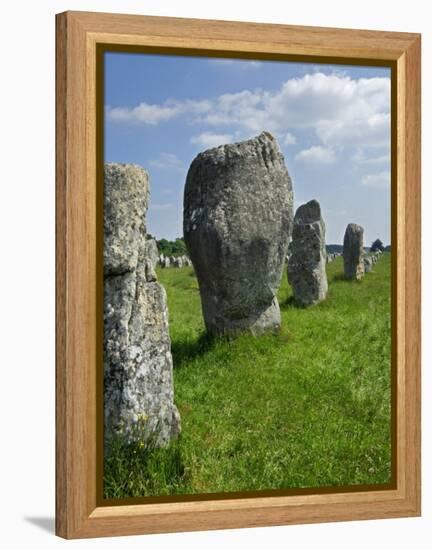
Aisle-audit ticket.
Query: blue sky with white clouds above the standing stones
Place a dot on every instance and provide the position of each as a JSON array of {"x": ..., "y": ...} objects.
[{"x": 332, "y": 124}]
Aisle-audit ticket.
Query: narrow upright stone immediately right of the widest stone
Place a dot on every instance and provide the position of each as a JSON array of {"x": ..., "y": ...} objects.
[{"x": 307, "y": 264}]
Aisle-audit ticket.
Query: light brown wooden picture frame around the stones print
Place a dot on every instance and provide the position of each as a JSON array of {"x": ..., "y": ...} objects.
[{"x": 80, "y": 37}]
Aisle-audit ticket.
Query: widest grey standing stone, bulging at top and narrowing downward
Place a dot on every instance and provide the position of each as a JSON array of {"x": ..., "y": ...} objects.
[{"x": 237, "y": 219}]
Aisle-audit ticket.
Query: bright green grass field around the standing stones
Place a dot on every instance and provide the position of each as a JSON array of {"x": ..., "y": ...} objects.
[{"x": 309, "y": 407}]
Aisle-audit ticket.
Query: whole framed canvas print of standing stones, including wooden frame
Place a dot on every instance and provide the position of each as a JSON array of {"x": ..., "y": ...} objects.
[{"x": 238, "y": 274}]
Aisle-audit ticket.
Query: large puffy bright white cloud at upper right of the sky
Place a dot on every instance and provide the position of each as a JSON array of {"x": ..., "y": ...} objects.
[{"x": 342, "y": 111}]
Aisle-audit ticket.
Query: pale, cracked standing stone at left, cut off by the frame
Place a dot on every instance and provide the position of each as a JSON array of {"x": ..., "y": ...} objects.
[{"x": 138, "y": 400}]
